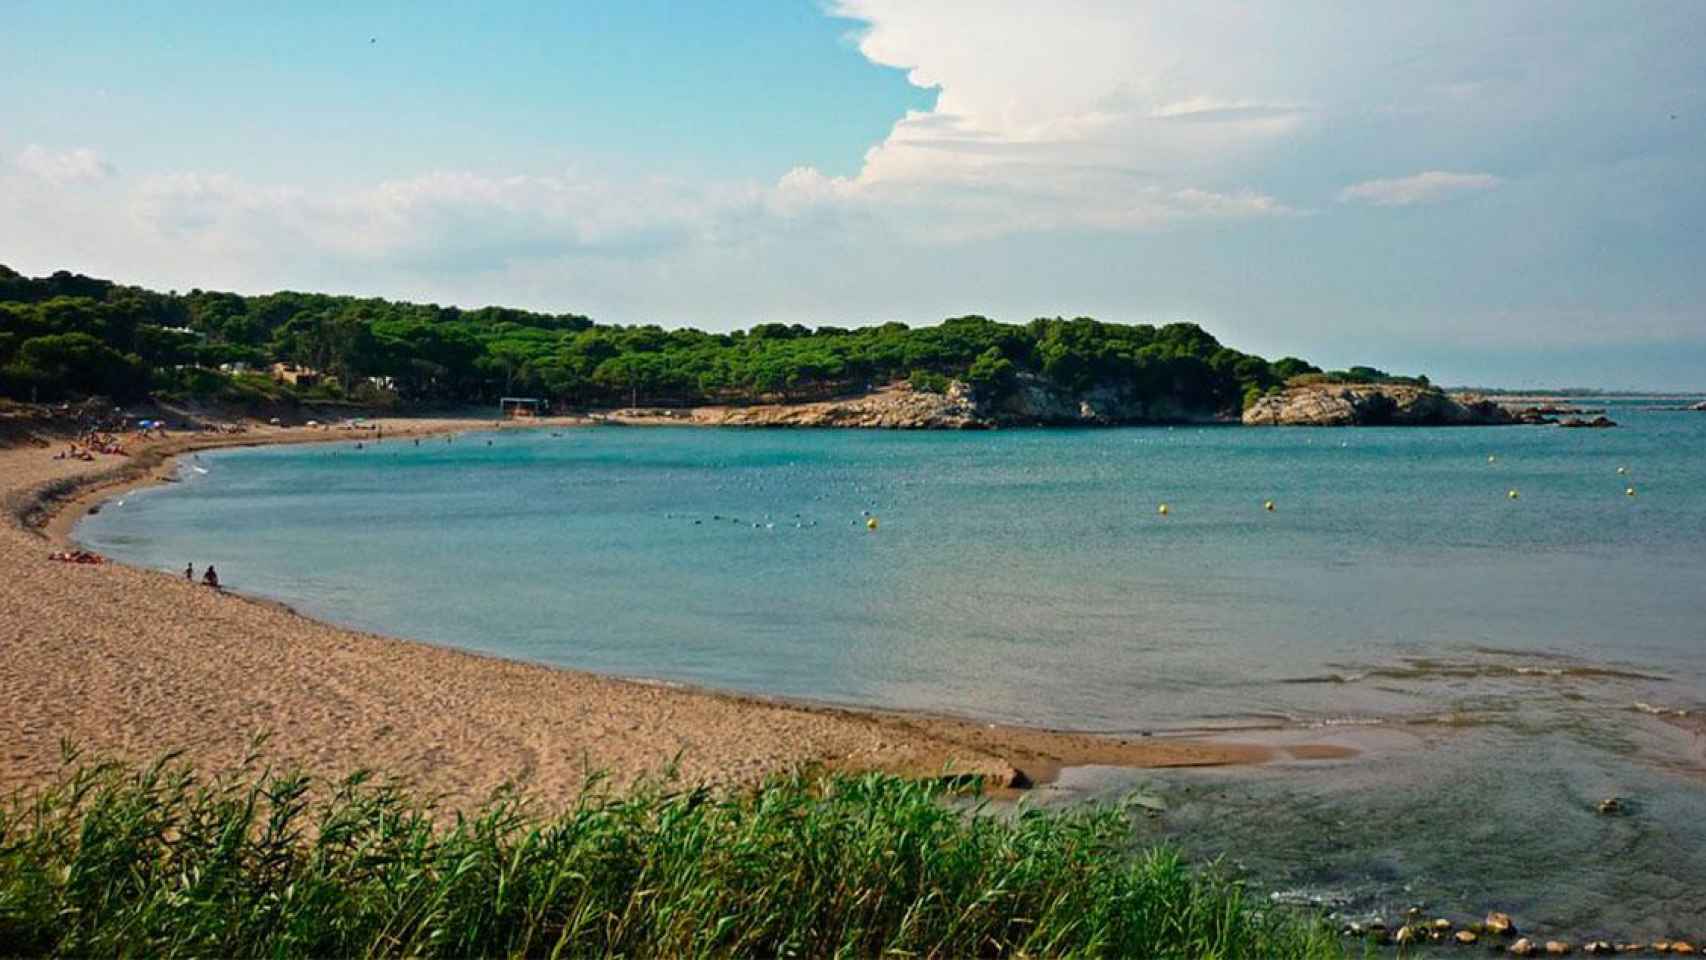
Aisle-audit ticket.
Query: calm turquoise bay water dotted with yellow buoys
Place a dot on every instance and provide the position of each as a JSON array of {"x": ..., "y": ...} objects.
[{"x": 1502, "y": 662}]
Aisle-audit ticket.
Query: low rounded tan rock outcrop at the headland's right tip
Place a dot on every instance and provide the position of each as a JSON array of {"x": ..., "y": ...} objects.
[{"x": 1372, "y": 405}]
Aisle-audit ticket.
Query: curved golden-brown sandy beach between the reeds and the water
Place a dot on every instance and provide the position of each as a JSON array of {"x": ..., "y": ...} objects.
[{"x": 137, "y": 662}]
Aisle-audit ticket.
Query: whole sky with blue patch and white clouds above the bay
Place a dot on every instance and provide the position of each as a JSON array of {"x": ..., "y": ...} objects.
[{"x": 1490, "y": 194}]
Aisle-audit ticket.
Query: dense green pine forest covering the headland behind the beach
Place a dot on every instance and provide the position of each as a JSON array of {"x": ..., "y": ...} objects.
[{"x": 67, "y": 337}]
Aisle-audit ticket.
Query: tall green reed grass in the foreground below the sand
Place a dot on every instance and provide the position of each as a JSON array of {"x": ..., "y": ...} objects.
[{"x": 120, "y": 860}]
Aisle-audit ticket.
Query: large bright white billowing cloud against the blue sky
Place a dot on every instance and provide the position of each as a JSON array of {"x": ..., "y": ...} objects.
[{"x": 1082, "y": 119}]
